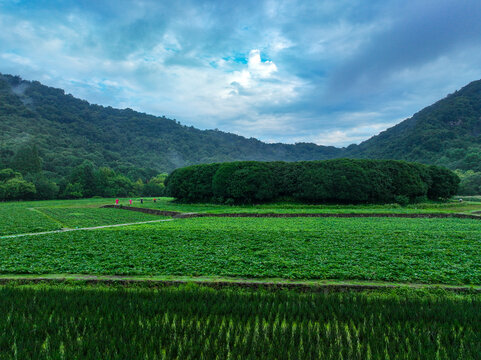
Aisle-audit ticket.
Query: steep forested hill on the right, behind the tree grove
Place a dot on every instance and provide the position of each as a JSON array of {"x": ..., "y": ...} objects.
[{"x": 446, "y": 133}]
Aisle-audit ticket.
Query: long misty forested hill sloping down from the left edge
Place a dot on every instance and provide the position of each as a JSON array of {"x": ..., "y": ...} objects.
[{"x": 68, "y": 131}]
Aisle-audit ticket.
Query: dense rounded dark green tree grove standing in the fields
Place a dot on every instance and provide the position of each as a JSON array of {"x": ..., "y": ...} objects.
[{"x": 332, "y": 181}]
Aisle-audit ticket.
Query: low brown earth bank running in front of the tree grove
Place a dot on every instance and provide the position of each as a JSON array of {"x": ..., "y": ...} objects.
[{"x": 181, "y": 215}]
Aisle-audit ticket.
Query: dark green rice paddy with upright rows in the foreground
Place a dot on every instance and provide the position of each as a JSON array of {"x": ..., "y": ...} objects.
[{"x": 190, "y": 322}]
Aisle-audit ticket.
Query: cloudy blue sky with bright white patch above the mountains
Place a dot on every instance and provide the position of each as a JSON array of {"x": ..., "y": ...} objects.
[{"x": 331, "y": 72}]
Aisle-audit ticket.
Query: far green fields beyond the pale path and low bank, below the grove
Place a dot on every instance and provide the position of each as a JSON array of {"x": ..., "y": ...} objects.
[{"x": 27, "y": 217}]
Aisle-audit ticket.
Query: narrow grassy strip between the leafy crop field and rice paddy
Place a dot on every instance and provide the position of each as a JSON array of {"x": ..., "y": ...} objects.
[{"x": 219, "y": 283}]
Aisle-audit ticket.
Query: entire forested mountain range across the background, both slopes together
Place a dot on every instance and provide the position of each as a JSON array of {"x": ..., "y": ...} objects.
[{"x": 68, "y": 131}]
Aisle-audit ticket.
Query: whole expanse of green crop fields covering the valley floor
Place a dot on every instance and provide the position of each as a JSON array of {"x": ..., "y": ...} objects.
[{"x": 76, "y": 320}]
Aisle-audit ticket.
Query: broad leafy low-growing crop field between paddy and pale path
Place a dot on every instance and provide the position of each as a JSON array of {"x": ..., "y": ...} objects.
[{"x": 407, "y": 250}]
